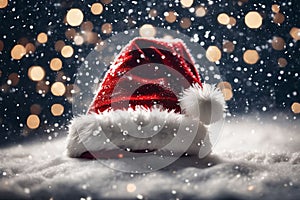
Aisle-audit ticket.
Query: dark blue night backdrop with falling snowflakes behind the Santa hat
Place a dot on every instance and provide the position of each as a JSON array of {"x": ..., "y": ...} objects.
[{"x": 264, "y": 88}]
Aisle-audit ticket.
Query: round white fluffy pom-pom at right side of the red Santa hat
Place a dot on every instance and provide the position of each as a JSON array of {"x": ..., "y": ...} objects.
[{"x": 206, "y": 103}]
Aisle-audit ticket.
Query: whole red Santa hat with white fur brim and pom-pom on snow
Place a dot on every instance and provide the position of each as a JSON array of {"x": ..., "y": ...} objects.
[{"x": 152, "y": 81}]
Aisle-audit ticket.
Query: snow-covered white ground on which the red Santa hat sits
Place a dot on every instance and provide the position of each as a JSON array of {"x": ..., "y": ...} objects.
[{"x": 251, "y": 161}]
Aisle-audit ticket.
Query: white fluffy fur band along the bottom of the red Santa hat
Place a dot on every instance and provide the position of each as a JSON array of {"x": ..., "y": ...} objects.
[{"x": 90, "y": 132}]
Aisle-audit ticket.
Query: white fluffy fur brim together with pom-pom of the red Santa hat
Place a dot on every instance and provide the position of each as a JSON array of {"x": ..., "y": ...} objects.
[{"x": 148, "y": 129}]
